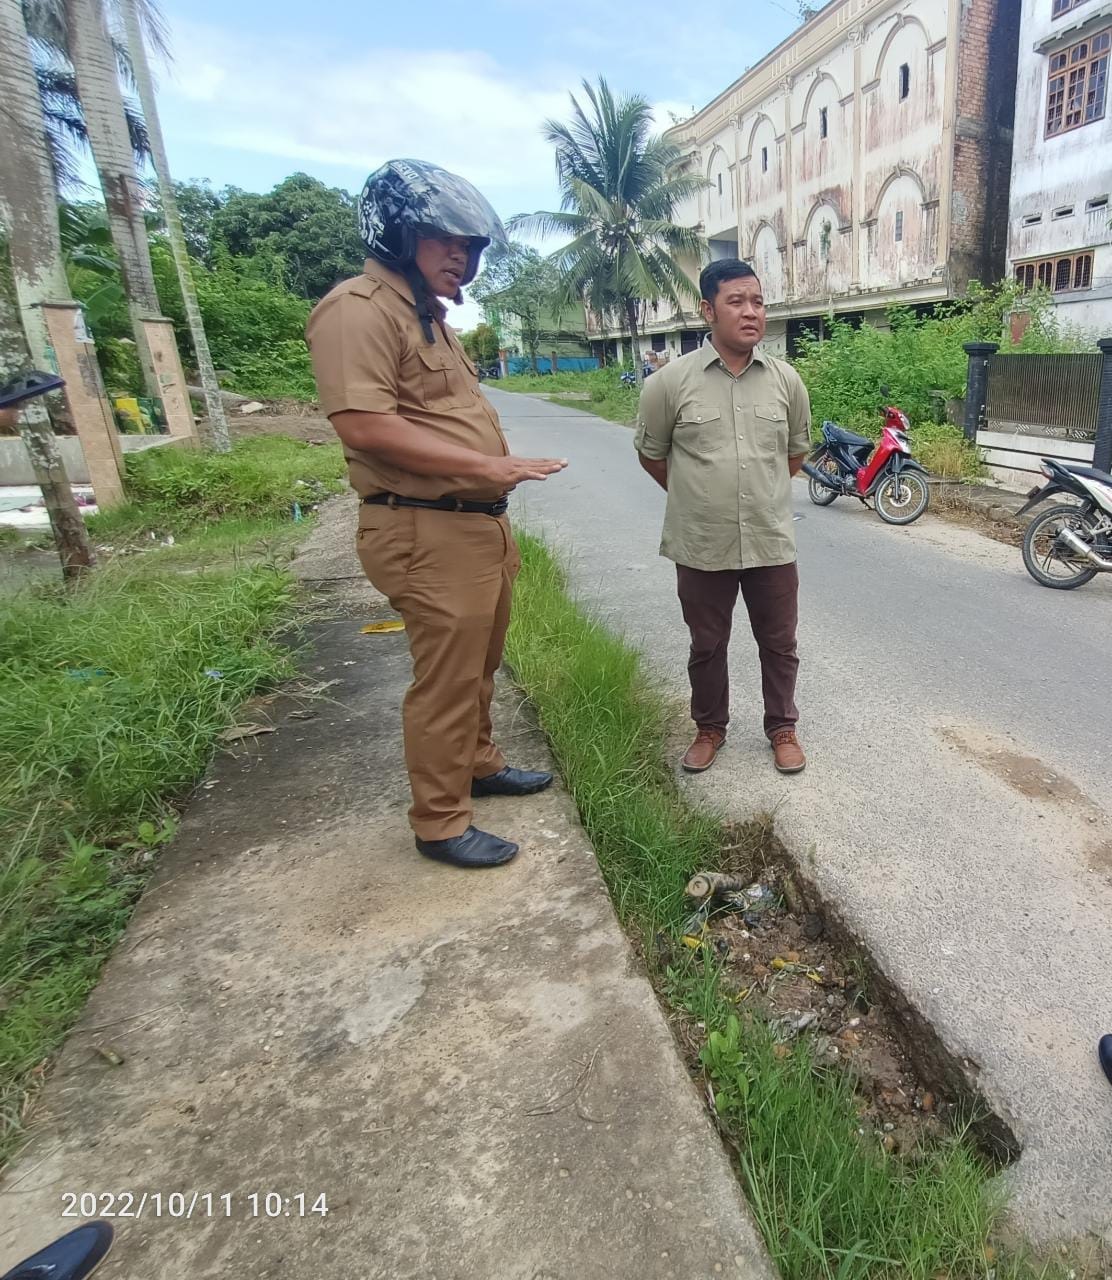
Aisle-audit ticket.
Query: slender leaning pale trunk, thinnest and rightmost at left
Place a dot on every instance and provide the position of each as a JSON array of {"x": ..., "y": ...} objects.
[{"x": 218, "y": 424}]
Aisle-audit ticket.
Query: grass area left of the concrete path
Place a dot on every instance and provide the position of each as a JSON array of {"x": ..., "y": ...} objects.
[{"x": 112, "y": 697}]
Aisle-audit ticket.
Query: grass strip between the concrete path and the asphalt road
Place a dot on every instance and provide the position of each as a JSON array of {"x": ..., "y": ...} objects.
[{"x": 830, "y": 1206}]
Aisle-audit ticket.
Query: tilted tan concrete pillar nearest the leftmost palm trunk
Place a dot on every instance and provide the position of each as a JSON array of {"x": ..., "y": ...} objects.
[{"x": 86, "y": 400}]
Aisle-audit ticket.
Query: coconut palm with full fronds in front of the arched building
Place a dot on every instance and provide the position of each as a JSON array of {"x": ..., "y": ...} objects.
[{"x": 620, "y": 191}]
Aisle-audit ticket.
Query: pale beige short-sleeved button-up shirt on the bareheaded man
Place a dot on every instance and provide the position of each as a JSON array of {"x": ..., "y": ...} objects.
[{"x": 727, "y": 442}]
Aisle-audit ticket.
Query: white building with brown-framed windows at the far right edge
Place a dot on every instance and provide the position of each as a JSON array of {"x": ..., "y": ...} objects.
[{"x": 1059, "y": 231}]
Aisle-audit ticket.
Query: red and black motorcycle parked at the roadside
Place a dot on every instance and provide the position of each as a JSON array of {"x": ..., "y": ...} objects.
[{"x": 849, "y": 465}]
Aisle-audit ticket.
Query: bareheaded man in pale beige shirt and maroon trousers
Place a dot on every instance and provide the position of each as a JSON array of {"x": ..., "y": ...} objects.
[{"x": 724, "y": 431}]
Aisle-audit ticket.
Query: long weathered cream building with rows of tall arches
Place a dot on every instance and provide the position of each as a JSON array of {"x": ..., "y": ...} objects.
[{"x": 864, "y": 162}]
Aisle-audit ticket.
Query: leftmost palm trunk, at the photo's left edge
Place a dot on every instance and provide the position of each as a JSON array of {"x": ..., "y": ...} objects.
[{"x": 30, "y": 217}]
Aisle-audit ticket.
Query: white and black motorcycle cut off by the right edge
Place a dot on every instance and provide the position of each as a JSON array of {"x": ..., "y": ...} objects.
[{"x": 1070, "y": 545}]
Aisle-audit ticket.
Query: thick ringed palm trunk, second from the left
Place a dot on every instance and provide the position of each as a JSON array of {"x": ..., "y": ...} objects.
[{"x": 103, "y": 106}]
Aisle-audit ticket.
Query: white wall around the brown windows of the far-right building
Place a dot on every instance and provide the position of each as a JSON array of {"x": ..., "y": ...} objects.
[{"x": 1061, "y": 184}]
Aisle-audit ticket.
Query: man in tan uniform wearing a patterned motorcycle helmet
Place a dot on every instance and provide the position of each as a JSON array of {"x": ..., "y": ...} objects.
[{"x": 428, "y": 458}]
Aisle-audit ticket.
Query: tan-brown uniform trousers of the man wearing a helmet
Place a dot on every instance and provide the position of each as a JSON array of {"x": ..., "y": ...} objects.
[{"x": 450, "y": 575}]
